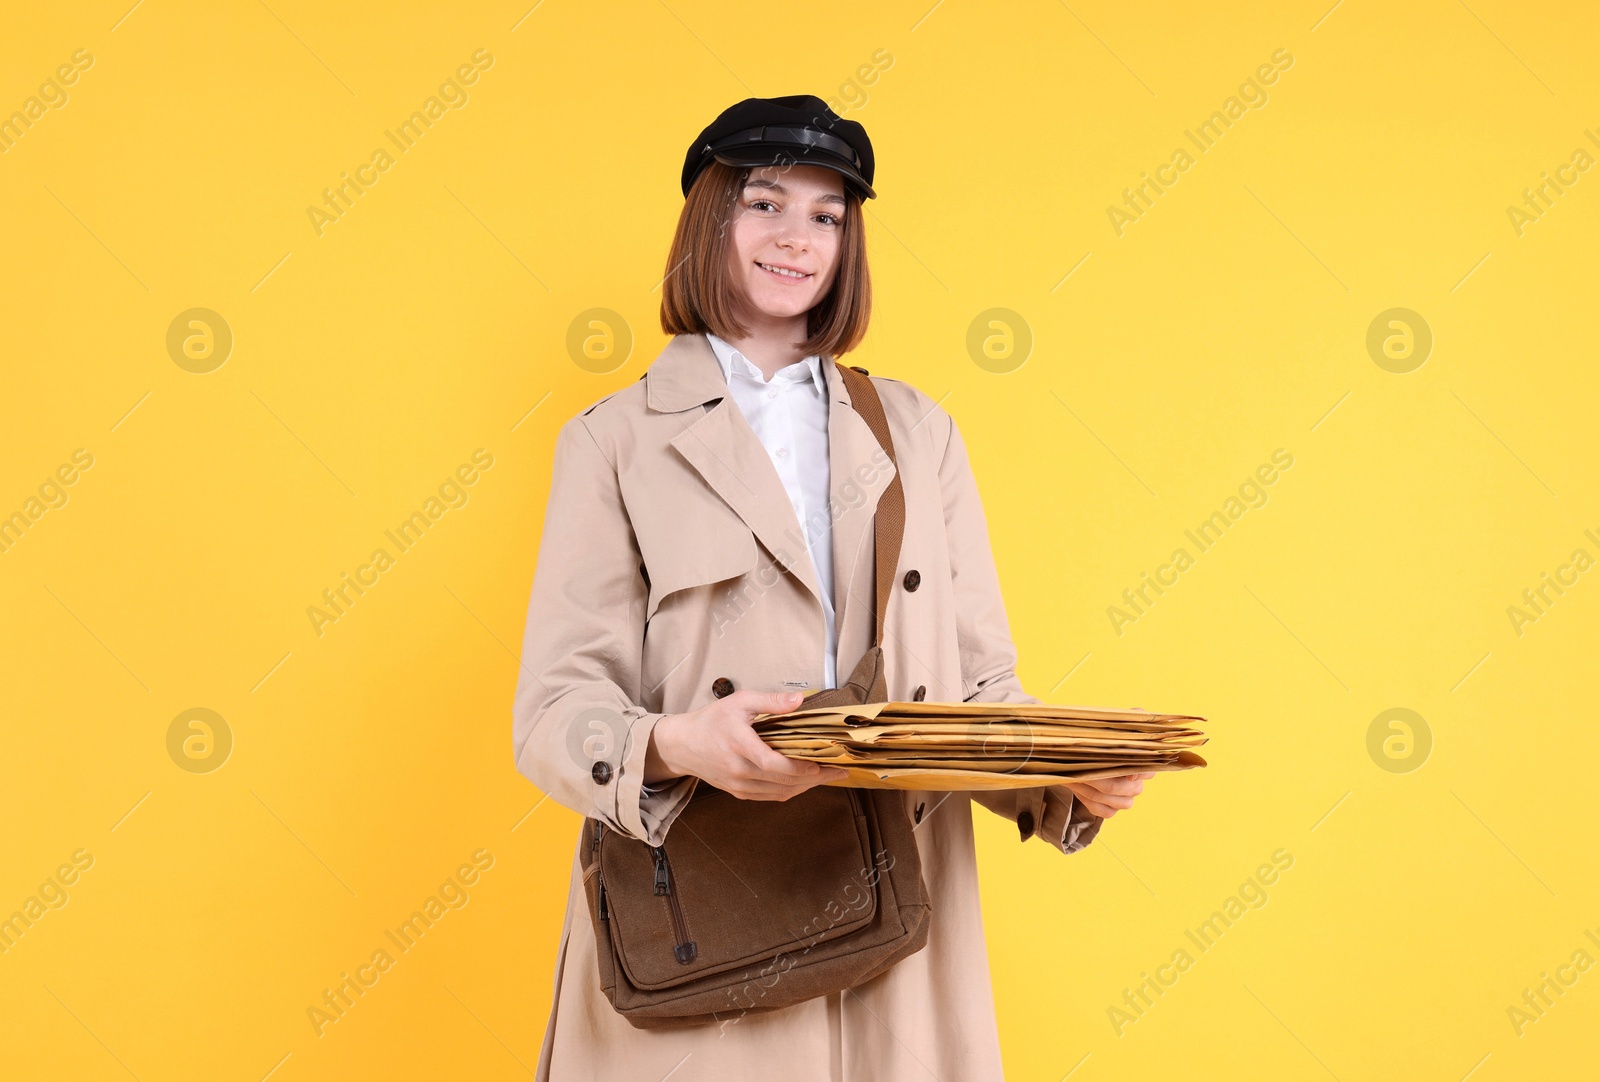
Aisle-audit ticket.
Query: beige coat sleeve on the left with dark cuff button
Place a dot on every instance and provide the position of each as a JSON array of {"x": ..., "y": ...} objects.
[{"x": 577, "y": 734}]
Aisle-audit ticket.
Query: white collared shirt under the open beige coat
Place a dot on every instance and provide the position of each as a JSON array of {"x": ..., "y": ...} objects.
[{"x": 790, "y": 417}]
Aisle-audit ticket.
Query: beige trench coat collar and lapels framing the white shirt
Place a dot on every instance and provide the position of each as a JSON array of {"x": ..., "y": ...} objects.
[{"x": 729, "y": 457}]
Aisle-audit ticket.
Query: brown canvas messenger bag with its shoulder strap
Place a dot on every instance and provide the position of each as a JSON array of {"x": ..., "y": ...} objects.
[{"x": 759, "y": 905}]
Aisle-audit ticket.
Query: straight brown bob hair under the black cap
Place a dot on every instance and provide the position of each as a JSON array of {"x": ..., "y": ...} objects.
[{"x": 697, "y": 295}]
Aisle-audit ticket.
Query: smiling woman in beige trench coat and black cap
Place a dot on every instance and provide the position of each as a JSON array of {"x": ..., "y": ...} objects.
[{"x": 708, "y": 556}]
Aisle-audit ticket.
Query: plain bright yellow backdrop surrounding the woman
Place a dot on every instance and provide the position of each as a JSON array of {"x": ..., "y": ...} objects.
[{"x": 369, "y": 363}]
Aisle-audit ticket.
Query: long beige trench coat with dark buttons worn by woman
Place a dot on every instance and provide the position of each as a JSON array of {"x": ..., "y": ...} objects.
[{"x": 673, "y": 558}]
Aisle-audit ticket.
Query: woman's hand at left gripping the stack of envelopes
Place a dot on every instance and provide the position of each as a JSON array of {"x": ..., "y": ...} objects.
[{"x": 718, "y": 745}]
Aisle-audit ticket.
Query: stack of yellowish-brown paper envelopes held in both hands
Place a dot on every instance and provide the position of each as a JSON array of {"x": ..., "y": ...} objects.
[{"x": 982, "y": 745}]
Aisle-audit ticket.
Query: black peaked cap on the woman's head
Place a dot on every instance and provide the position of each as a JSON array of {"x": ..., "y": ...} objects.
[{"x": 796, "y": 130}]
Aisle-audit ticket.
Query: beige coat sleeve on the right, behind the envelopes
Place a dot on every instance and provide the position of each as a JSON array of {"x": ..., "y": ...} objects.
[{"x": 990, "y": 657}]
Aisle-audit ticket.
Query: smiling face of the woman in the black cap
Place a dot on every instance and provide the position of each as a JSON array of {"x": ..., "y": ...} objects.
[{"x": 785, "y": 239}]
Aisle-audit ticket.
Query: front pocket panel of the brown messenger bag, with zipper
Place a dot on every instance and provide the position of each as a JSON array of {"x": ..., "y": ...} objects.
[{"x": 750, "y": 880}]
